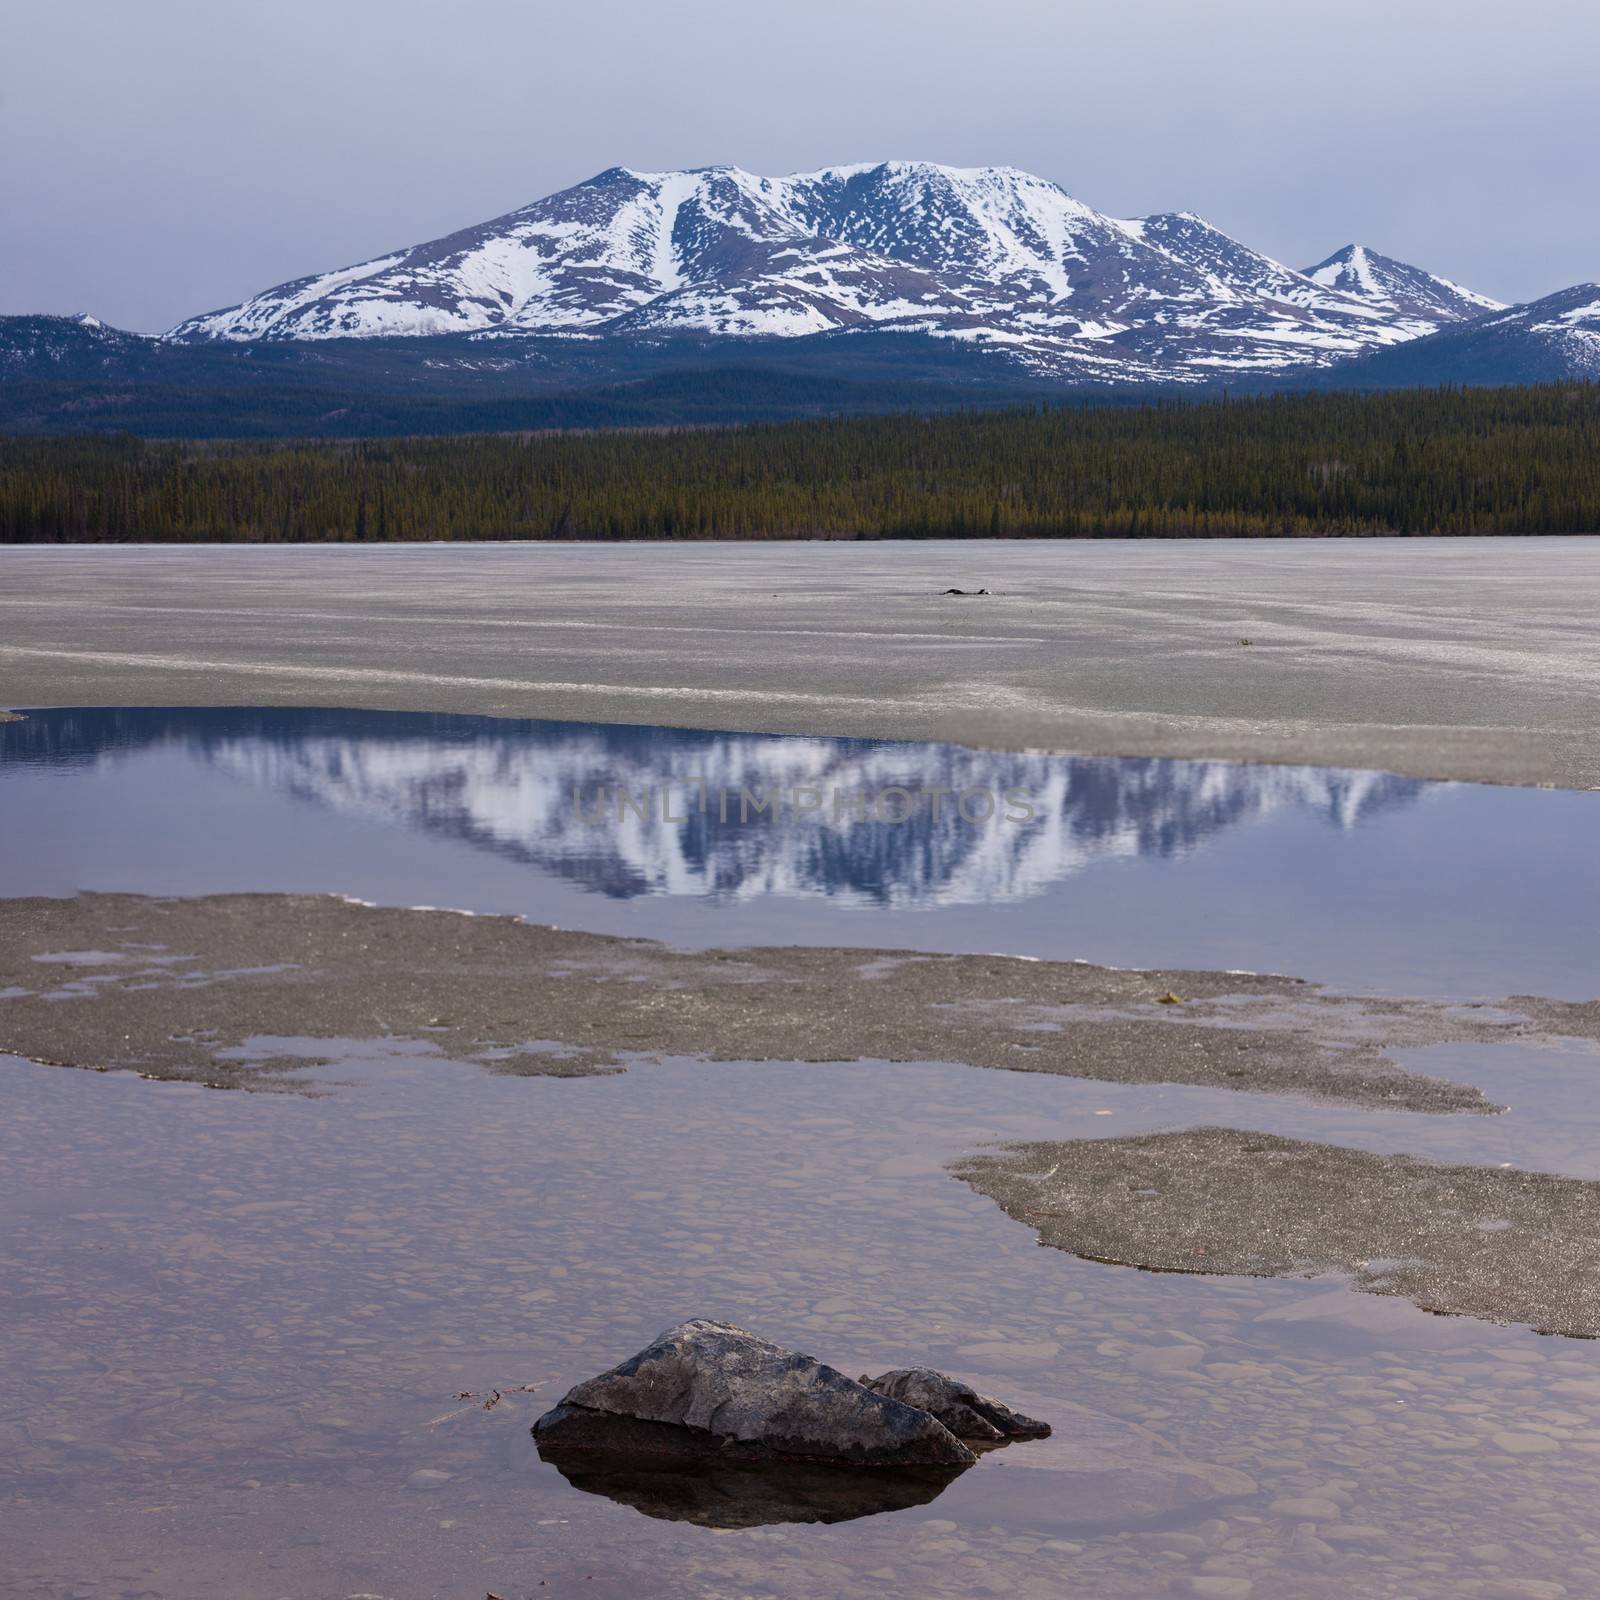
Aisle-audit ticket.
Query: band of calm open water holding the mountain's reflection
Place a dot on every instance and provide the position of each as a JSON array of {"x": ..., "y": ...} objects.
[{"x": 1356, "y": 879}]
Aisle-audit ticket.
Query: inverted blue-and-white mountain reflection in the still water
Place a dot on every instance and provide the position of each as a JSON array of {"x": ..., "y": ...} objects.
[{"x": 634, "y": 812}]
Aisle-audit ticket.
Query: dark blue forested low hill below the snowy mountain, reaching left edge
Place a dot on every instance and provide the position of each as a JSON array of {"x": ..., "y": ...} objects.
[{"x": 63, "y": 375}]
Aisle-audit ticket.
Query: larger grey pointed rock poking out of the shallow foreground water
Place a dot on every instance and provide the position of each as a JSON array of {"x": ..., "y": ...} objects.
[{"x": 740, "y": 1398}]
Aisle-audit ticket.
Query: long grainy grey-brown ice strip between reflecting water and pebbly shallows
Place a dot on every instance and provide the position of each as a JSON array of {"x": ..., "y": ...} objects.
[{"x": 113, "y": 982}]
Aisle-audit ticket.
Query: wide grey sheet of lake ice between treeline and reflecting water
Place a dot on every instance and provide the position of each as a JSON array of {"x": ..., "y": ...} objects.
[{"x": 1439, "y": 658}]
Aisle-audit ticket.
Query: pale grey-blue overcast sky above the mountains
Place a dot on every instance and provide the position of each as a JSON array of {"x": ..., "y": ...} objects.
[{"x": 166, "y": 158}]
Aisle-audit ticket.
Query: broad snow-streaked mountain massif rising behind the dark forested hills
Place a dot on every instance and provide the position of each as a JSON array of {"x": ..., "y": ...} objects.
[{"x": 988, "y": 255}]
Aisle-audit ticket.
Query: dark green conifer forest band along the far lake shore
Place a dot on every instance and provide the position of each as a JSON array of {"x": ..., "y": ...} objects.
[{"x": 1410, "y": 463}]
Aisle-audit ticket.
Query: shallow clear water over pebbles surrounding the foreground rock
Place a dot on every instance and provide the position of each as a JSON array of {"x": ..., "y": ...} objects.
[{"x": 238, "y": 1329}]
